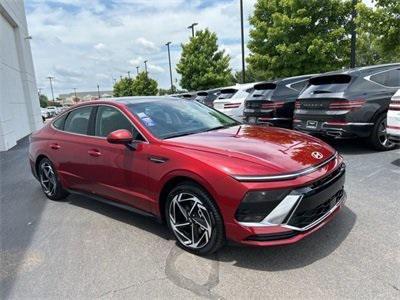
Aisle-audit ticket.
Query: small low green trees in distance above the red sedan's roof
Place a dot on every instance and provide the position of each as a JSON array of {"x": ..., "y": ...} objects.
[{"x": 141, "y": 85}]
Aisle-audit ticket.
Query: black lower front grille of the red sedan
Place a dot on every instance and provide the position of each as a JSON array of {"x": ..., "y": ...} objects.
[{"x": 305, "y": 218}]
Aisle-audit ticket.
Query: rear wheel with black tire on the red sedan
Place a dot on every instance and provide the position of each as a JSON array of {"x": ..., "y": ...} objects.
[{"x": 48, "y": 178}]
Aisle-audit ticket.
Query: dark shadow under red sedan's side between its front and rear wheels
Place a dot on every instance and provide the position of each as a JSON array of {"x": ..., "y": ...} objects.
[{"x": 146, "y": 223}]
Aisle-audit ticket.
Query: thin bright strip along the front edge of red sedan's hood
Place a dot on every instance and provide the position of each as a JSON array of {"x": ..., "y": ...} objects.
[{"x": 251, "y": 178}]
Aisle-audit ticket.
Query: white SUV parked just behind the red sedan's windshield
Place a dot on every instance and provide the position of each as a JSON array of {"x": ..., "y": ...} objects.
[{"x": 231, "y": 100}]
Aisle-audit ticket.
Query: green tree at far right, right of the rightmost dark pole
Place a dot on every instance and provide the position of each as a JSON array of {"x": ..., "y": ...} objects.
[{"x": 378, "y": 30}]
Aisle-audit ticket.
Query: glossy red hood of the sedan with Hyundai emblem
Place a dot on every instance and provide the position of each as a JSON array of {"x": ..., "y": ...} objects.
[{"x": 255, "y": 150}]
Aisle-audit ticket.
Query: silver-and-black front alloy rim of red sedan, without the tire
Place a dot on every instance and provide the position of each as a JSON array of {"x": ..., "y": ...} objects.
[{"x": 190, "y": 220}]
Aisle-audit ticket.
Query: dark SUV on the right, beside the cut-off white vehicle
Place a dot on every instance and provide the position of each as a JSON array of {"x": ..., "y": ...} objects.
[{"x": 349, "y": 103}]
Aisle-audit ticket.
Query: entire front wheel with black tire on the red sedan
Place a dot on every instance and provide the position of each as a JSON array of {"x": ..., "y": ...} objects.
[{"x": 194, "y": 219}]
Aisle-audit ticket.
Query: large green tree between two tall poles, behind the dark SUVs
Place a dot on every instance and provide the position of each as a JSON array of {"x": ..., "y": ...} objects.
[{"x": 293, "y": 37}]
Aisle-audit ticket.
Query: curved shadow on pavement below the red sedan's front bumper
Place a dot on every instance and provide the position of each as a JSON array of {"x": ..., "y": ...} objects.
[{"x": 312, "y": 248}]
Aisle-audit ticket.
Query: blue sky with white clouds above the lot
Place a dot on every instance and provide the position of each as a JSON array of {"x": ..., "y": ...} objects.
[{"x": 83, "y": 43}]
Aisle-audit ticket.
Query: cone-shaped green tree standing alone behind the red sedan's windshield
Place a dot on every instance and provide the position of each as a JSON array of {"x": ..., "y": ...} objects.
[{"x": 202, "y": 66}]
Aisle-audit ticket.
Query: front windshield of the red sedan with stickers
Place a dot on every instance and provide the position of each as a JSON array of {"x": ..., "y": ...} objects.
[{"x": 177, "y": 117}]
